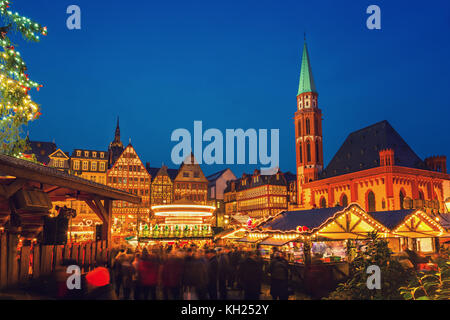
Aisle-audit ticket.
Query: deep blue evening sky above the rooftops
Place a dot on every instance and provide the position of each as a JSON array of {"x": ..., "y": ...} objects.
[{"x": 160, "y": 65}]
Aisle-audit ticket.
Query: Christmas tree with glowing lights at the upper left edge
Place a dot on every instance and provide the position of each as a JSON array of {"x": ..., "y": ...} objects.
[{"x": 16, "y": 106}]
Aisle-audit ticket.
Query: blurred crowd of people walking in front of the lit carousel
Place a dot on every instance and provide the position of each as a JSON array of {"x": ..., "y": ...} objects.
[{"x": 187, "y": 273}]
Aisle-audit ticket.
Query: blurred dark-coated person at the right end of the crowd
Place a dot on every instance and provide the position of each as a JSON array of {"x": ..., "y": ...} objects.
[{"x": 279, "y": 275}]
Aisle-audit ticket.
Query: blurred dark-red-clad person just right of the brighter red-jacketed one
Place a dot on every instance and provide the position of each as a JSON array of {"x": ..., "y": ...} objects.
[{"x": 172, "y": 272}]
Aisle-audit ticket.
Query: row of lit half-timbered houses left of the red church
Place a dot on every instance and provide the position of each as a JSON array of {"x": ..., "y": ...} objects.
[{"x": 120, "y": 167}]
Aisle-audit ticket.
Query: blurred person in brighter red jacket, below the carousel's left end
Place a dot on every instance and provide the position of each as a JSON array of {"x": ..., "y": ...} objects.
[{"x": 148, "y": 274}]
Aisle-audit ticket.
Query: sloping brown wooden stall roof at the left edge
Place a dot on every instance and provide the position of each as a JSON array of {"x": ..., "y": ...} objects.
[{"x": 16, "y": 173}]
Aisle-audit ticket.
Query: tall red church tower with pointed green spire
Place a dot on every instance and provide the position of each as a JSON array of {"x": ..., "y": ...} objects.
[{"x": 308, "y": 128}]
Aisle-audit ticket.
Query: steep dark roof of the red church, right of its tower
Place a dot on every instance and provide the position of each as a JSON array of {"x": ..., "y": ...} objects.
[{"x": 360, "y": 151}]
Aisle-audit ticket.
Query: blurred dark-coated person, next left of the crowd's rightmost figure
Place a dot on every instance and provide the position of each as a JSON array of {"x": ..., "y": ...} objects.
[{"x": 251, "y": 276}]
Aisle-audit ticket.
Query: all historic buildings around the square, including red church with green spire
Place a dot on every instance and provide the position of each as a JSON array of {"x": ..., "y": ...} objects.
[{"x": 374, "y": 167}]
